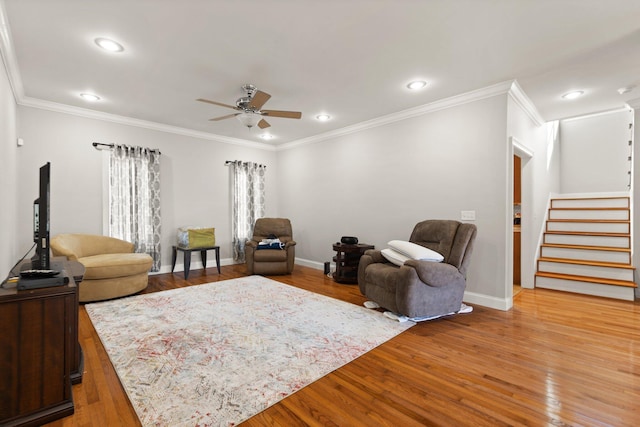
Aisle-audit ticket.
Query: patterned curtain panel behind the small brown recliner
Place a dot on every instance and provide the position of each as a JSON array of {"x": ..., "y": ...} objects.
[{"x": 248, "y": 203}]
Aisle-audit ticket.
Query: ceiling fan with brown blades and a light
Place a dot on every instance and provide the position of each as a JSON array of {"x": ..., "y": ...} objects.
[{"x": 249, "y": 107}]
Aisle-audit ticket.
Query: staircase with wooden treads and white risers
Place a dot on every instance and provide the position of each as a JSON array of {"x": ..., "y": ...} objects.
[{"x": 587, "y": 248}]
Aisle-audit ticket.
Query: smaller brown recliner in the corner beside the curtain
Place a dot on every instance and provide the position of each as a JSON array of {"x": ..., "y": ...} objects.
[{"x": 270, "y": 261}]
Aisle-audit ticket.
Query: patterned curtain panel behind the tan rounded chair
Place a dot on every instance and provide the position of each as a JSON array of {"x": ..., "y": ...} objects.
[{"x": 134, "y": 198}]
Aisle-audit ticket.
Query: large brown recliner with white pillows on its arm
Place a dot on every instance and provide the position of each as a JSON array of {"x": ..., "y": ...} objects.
[{"x": 422, "y": 288}]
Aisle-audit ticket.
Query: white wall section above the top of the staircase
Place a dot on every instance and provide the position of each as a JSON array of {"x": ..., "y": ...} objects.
[{"x": 594, "y": 153}]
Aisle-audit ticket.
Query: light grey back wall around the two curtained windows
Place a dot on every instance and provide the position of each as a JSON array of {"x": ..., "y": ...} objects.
[{"x": 194, "y": 179}]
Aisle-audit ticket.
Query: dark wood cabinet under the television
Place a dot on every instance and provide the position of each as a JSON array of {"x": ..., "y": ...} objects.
[{"x": 39, "y": 353}]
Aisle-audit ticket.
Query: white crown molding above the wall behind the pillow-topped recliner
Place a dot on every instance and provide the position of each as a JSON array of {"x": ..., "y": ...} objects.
[{"x": 453, "y": 101}]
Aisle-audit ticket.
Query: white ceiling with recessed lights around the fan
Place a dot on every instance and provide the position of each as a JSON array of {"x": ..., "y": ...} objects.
[{"x": 348, "y": 58}]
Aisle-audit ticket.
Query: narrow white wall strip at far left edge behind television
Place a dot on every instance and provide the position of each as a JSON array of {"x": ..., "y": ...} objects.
[{"x": 8, "y": 190}]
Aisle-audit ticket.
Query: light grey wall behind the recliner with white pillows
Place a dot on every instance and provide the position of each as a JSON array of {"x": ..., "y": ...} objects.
[{"x": 378, "y": 183}]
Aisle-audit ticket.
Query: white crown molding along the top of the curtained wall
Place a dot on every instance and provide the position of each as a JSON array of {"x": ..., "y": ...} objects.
[{"x": 114, "y": 118}]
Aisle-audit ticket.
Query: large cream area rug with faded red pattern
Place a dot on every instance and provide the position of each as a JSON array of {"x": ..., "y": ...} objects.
[{"x": 219, "y": 353}]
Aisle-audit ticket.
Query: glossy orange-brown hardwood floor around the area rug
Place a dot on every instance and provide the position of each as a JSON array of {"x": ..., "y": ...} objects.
[{"x": 555, "y": 359}]
